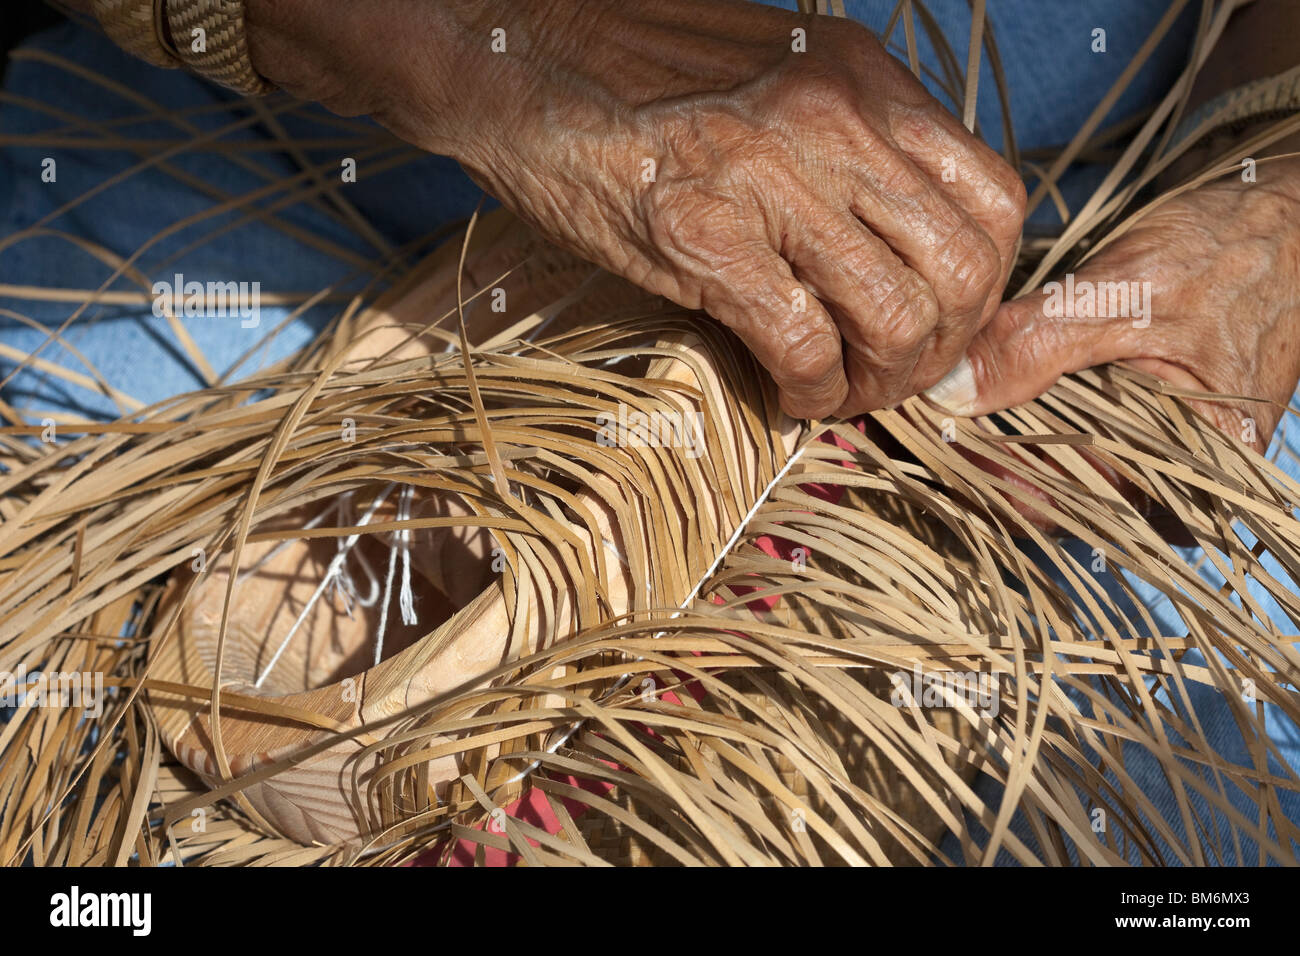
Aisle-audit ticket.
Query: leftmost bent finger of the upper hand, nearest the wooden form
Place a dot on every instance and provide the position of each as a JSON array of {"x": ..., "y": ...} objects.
[{"x": 790, "y": 332}]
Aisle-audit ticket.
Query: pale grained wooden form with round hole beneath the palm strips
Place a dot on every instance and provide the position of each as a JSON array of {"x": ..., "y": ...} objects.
[{"x": 323, "y": 672}]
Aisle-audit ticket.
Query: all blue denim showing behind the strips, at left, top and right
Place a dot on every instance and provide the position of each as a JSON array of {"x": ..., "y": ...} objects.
[{"x": 1055, "y": 83}]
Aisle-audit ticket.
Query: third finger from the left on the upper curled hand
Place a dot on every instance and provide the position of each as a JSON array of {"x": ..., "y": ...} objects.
[{"x": 934, "y": 236}]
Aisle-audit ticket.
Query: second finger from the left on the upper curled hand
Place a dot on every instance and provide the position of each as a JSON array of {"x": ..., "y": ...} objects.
[{"x": 885, "y": 312}]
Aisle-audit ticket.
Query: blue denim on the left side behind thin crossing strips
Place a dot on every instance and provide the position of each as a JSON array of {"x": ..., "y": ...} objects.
[{"x": 133, "y": 349}]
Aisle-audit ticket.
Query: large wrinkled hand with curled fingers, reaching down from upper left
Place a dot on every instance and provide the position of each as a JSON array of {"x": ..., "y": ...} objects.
[{"x": 820, "y": 204}]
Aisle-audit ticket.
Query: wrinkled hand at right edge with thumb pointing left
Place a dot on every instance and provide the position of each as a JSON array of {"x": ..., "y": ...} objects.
[{"x": 1224, "y": 270}]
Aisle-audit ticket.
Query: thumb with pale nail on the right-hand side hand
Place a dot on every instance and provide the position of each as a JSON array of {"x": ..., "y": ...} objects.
[{"x": 1030, "y": 344}]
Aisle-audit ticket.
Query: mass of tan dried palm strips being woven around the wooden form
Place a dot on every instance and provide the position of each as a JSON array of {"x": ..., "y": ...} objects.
[{"x": 751, "y": 656}]
